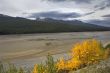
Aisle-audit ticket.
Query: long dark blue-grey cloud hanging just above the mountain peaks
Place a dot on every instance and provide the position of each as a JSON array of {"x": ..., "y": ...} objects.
[{"x": 55, "y": 15}]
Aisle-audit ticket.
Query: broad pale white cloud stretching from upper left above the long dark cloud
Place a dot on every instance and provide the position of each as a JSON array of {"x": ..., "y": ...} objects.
[{"x": 18, "y": 7}]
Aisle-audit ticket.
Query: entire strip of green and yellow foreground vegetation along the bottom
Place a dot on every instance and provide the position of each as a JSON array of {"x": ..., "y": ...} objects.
[{"x": 84, "y": 54}]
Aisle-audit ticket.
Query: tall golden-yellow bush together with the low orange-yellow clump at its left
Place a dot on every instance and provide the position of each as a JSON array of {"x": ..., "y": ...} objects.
[{"x": 83, "y": 54}]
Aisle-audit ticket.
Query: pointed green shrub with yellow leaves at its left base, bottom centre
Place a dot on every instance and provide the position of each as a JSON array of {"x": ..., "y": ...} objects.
[{"x": 49, "y": 67}]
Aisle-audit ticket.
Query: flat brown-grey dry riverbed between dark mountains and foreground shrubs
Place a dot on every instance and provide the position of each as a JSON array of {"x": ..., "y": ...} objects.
[{"x": 29, "y": 49}]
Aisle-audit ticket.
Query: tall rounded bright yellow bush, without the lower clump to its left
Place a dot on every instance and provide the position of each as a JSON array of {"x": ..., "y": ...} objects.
[{"x": 88, "y": 52}]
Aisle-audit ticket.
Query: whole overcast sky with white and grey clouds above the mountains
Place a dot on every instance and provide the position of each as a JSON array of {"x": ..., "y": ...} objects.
[{"x": 92, "y": 11}]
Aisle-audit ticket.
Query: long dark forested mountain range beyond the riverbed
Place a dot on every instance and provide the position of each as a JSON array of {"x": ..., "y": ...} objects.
[{"x": 18, "y": 25}]
